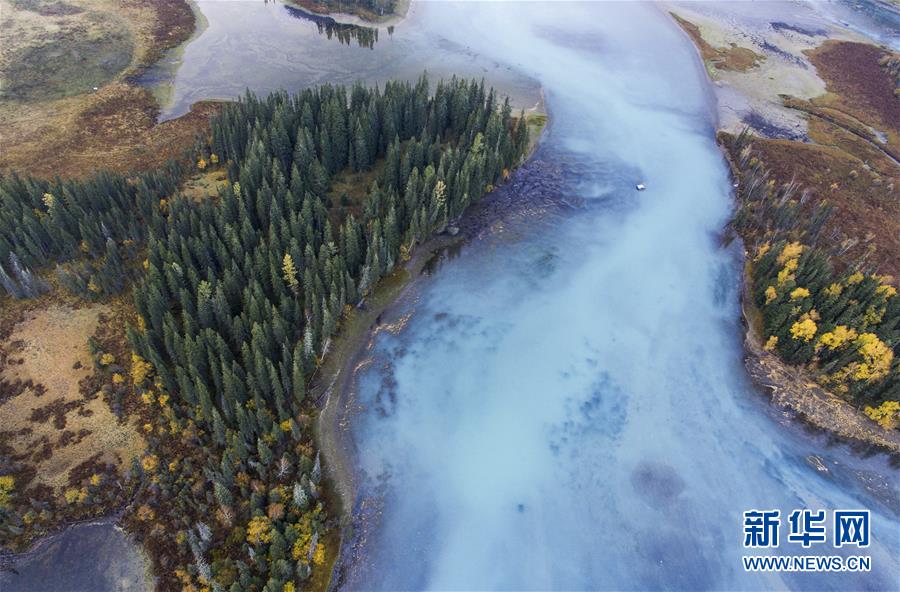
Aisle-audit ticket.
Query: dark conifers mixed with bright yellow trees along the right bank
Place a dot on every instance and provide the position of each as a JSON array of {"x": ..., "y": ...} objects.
[{"x": 840, "y": 320}]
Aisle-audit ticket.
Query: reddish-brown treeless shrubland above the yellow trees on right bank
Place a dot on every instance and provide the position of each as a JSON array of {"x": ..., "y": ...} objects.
[{"x": 851, "y": 159}]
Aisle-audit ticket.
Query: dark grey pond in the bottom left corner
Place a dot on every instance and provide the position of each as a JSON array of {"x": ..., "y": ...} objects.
[{"x": 91, "y": 557}]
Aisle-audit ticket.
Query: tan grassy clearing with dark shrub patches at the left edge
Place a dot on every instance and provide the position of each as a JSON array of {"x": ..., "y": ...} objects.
[{"x": 68, "y": 430}]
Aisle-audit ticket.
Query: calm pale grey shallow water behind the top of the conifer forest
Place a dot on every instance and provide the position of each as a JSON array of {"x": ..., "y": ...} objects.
[{"x": 267, "y": 46}]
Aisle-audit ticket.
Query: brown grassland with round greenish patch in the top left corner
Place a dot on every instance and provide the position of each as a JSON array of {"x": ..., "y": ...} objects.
[{"x": 55, "y": 53}]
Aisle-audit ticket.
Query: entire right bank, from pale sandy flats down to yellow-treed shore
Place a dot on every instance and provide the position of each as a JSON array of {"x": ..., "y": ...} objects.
[{"x": 815, "y": 178}]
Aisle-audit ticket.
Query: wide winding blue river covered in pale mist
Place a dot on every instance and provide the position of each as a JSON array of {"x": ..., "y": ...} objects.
[{"x": 564, "y": 405}]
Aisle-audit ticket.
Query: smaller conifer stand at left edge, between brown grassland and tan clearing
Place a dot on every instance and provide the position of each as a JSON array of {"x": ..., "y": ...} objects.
[{"x": 88, "y": 228}]
